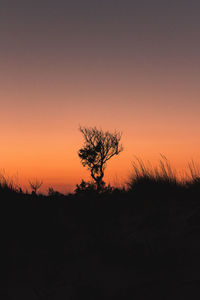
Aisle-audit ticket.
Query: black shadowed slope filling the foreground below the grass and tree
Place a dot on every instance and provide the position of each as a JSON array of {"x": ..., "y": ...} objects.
[{"x": 142, "y": 244}]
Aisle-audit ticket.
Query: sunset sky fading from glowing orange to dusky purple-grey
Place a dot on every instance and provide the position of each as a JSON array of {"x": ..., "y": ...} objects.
[{"x": 133, "y": 66}]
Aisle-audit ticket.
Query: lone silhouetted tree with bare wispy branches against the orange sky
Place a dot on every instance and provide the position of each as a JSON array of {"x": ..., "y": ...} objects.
[{"x": 99, "y": 147}]
